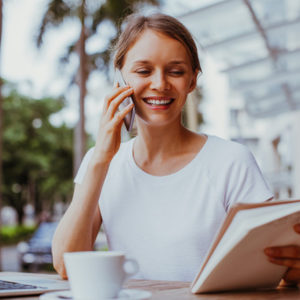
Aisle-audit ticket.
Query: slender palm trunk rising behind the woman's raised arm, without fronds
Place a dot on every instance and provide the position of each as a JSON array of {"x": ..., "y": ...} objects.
[{"x": 80, "y": 136}]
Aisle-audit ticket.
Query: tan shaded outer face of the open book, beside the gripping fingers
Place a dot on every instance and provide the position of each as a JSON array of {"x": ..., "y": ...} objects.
[{"x": 246, "y": 265}]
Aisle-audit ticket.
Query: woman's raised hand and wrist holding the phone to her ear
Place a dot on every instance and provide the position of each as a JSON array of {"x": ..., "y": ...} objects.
[{"x": 109, "y": 133}]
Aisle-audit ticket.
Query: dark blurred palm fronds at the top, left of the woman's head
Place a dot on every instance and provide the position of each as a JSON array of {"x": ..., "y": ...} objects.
[{"x": 95, "y": 15}]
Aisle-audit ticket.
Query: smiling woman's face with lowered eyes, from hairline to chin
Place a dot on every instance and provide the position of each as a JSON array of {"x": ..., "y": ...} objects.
[{"x": 160, "y": 72}]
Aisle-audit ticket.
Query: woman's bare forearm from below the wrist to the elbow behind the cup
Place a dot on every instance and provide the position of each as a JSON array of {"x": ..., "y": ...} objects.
[{"x": 79, "y": 226}]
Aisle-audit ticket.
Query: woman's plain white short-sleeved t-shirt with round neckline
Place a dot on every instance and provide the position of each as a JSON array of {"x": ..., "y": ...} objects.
[{"x": 167, "y": 223}]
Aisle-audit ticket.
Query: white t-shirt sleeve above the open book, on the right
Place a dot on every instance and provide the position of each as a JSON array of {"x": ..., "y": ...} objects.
[{"x": 245, "y": 181}]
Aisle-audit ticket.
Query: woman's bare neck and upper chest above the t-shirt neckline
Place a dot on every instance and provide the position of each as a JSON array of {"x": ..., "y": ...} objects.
[{"x": 161, "y": 151}]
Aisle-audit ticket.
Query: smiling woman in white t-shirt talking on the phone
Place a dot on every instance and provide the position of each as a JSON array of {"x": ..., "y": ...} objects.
[{"x": 161, "y": 196}]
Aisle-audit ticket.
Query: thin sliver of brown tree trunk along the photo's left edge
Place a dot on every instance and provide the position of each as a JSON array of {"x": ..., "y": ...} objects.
[{"x": 1, "y": 130}]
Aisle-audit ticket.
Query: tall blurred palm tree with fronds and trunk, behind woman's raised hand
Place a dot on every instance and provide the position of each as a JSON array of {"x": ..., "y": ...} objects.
[{"x": 110, "y": 10}]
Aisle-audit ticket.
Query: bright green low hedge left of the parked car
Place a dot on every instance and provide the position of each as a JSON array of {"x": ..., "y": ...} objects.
[{"x": 15, "y": 234}]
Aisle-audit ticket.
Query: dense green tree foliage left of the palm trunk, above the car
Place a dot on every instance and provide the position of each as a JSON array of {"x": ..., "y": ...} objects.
[{"x": 37, "y": 156}]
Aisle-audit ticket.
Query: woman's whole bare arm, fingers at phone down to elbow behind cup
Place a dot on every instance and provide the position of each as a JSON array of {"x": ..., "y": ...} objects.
[{"x": 79, "y": 226}]
